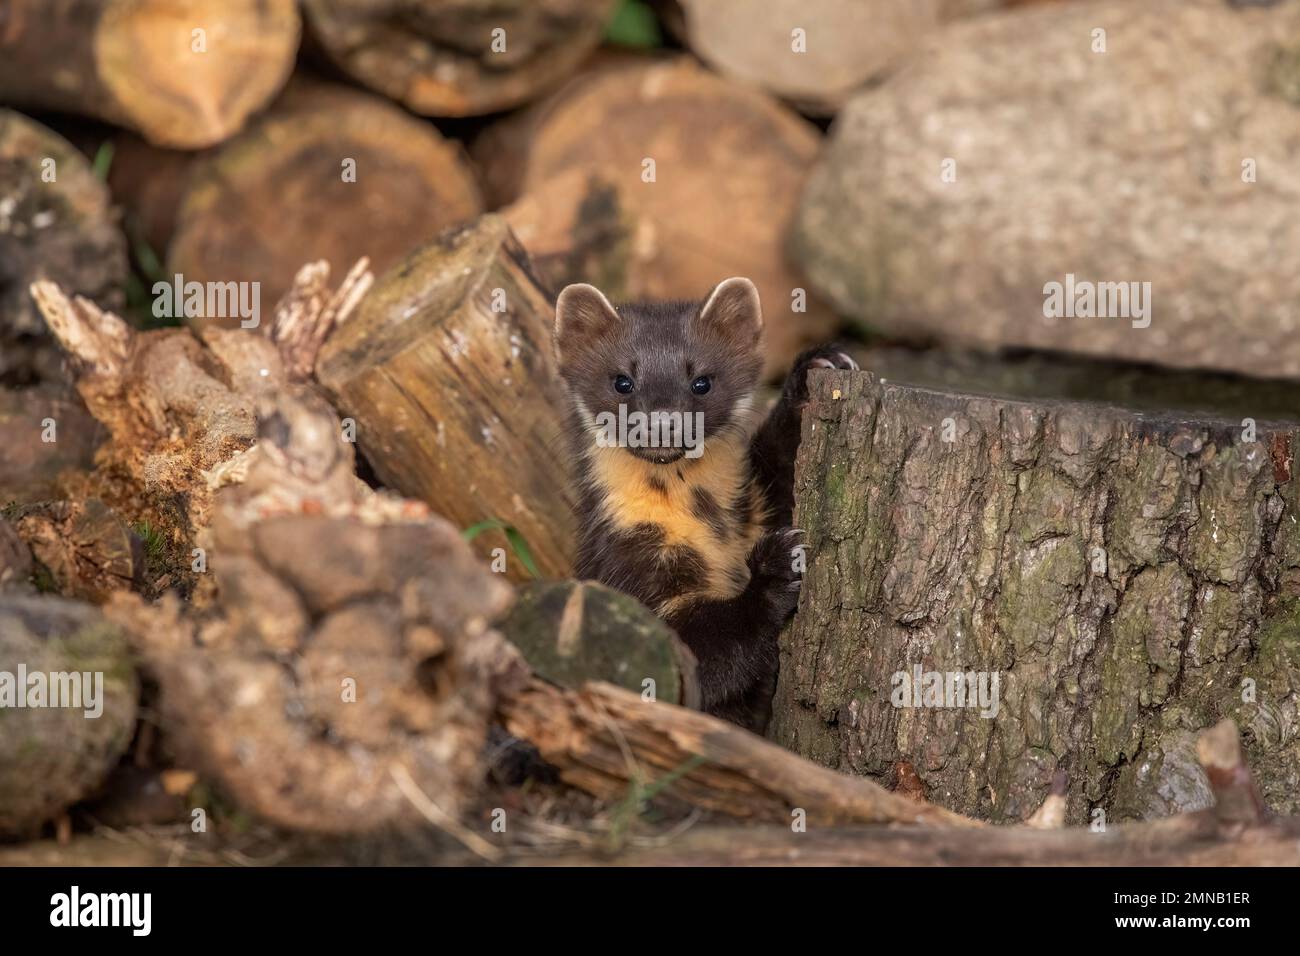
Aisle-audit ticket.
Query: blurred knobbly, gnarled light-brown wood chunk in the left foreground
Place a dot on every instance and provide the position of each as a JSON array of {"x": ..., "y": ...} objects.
[{"x": 344, "y": 680}]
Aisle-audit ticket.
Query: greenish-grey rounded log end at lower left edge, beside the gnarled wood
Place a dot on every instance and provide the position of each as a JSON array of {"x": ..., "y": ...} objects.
[{"x": 51, "y": 756}]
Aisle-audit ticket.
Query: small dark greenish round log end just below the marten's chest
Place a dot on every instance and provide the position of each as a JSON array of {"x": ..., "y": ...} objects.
[{"x": 573, "y": 633}]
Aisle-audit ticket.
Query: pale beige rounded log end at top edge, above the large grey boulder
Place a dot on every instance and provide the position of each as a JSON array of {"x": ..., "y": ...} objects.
[{"x": 840, "y": 46}]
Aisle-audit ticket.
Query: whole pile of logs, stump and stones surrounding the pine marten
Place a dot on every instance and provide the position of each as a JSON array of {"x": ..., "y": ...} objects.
[{"x": 301, "y": 544}]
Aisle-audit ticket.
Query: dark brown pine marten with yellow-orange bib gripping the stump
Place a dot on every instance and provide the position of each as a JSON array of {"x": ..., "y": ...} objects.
[{"x": 692, "y": 516}]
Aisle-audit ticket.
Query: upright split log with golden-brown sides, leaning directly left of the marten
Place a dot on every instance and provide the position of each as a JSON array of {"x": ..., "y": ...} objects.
[{"x": 449, "y": 377}]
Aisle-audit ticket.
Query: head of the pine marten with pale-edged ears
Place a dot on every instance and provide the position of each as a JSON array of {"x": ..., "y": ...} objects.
[{"x": 661, "y": 379}]
